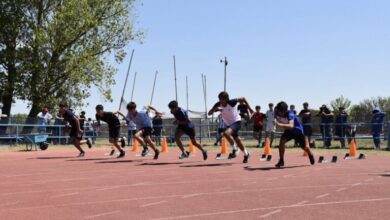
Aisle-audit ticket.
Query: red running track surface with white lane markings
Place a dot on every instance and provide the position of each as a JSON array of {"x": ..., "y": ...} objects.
[{"x": 53, "y": 184}]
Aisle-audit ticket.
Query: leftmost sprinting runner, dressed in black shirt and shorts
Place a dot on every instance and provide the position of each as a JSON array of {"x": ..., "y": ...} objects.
[{"x": 76, "y": 132}]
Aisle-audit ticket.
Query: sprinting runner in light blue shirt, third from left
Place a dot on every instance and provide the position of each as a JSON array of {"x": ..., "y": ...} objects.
[{"x": 144, "y": 127}]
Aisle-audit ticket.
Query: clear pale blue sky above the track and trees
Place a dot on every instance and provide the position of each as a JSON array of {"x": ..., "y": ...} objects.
[{"x": 290, "y": 50}]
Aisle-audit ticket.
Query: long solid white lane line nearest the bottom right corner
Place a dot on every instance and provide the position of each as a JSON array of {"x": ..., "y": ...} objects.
[{"x": 274, "y": 207}]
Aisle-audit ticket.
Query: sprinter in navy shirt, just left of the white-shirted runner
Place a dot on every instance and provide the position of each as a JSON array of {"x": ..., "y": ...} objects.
[{"x": 184, "y": 126}]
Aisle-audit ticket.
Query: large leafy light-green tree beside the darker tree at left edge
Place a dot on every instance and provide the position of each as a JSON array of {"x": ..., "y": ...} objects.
[{"x": 67, "y": 44}]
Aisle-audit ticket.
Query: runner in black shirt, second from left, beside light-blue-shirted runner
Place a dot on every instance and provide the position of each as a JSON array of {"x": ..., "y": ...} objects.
[{"x": 114, "y": 128}]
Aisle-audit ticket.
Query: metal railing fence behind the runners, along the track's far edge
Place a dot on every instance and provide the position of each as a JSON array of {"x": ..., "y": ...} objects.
[{"x": 206, "y": 130}]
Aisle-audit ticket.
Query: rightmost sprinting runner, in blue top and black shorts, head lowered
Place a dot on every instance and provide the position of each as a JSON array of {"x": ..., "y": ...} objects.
[{"x": 293, "y": 129}]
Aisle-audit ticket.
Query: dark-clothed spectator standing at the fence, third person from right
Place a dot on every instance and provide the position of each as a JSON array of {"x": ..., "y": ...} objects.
[{"x": 326, "y": 125}]
